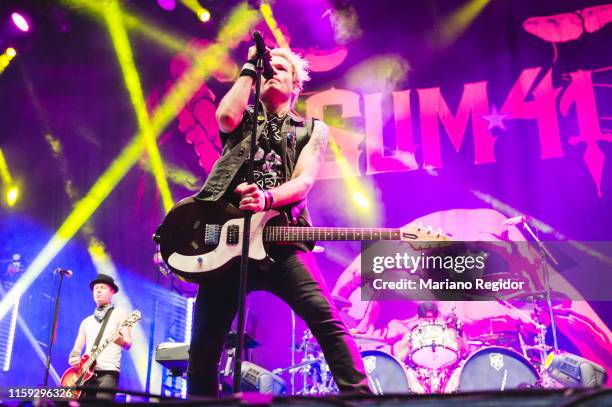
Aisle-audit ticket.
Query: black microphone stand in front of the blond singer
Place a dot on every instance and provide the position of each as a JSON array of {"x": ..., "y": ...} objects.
[{"x": 244, "y": 260}]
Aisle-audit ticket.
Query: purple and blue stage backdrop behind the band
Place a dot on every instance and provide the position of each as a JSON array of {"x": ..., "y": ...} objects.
[{"x": 457, "y": 114}]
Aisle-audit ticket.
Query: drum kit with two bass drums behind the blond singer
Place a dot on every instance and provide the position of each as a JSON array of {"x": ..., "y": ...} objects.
[{"x": 438, "y": 357}]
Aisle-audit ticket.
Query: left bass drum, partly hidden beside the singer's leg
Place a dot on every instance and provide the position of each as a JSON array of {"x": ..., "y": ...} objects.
[{"x": 387, "y": 375}]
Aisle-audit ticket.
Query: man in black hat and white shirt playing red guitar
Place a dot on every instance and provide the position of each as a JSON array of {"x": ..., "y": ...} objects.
[{"x": 105, "y": 323}]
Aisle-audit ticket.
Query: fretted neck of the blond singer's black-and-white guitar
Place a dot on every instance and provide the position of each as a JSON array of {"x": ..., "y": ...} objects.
[{"x": 304, "y": 234}]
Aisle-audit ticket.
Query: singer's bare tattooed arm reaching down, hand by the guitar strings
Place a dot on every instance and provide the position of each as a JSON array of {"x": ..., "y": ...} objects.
[{"x": 301, "y": 182}]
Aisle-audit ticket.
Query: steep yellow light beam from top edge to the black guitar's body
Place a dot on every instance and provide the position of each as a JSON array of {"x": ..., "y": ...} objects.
[{"x": 125, "y": 57}]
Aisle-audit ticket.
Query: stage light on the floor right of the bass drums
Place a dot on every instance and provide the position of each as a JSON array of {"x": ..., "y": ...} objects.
[{"x": 575, "y": 371}]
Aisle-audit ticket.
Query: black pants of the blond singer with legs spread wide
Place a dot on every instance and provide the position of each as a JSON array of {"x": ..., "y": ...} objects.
[{"x": 296, "y": 279}]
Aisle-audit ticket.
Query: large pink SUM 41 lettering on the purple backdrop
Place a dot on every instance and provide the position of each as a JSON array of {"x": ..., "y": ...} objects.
[{"x": 532, "y": 97}]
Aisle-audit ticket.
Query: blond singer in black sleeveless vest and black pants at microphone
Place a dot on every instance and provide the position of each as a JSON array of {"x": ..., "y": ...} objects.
[{"x": 289, "y": 153}]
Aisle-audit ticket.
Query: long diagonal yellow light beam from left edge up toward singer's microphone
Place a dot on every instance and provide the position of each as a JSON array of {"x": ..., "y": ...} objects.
[{"x": 239, "y": 23}]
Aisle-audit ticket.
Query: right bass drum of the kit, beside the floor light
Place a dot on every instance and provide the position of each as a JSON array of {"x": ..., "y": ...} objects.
[{"x": 492, "y": 368}]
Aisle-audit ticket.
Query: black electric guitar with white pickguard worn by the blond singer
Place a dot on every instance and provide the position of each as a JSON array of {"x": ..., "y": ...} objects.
[{"x": 197, "y": 237}]
